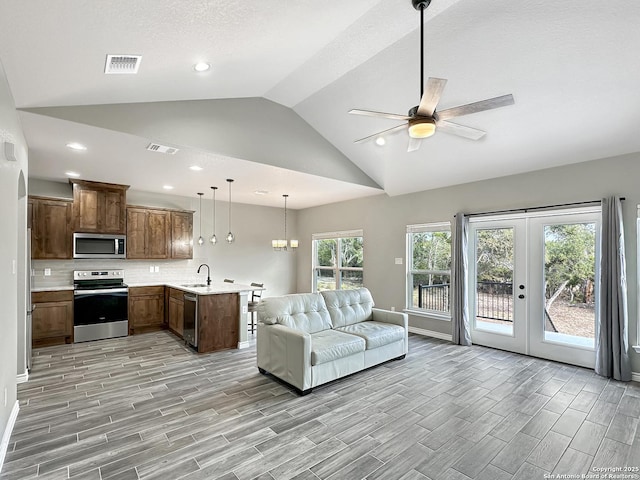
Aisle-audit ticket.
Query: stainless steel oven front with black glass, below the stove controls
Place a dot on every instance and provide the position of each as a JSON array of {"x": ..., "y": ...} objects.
[{"x": 100, "y": 313}]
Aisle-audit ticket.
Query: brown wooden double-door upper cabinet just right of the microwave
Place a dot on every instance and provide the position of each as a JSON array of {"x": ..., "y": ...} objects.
[{"x": 148, "y": 233}]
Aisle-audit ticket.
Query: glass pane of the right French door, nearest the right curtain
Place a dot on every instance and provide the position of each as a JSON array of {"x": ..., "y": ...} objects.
[{"x": 569, "y": 281}]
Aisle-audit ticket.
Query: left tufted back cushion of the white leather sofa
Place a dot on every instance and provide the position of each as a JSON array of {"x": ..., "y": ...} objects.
[{"x": 301, "y": 311}]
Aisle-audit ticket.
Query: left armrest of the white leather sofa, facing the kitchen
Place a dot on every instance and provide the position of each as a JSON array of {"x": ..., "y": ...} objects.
[{"x": 285, "y": 353}]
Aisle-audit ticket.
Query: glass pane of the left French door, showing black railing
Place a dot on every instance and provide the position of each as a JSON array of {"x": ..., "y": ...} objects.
[{"x": 494, "y": 279}]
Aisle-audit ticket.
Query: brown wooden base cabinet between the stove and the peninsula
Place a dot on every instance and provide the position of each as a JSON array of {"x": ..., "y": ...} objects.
[{"x": 146, "y": 309}]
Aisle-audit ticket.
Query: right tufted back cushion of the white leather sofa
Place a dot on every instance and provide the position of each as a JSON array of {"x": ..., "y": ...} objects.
[{"x": 347, "y": 307}]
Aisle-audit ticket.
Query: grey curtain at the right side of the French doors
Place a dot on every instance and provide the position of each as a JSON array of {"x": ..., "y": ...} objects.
[{"x": 612, "y": 345}]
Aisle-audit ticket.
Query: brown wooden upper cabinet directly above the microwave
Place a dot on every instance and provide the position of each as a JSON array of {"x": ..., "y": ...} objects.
[{"x": 99, "y": 207}]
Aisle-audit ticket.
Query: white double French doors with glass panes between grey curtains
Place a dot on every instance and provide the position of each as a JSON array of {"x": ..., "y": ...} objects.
[{"x": 533, "y": 284}]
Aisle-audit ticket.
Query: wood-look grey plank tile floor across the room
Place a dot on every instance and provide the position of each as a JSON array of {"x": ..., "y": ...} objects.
[{"x": 146, "y": 407}]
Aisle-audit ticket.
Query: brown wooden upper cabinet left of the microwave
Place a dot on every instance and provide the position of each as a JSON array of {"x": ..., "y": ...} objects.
[{"x": 51, "y": 232}]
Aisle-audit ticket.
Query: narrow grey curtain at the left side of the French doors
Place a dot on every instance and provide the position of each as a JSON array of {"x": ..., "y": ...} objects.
[{"x": 460, "y": 268}]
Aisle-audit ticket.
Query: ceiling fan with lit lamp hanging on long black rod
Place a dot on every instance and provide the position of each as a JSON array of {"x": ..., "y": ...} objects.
[{"x": 423, "y": 120}]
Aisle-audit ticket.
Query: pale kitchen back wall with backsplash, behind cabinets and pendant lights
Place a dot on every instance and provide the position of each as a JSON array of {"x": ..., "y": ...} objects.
[{"x": 249, "y": 259}]
